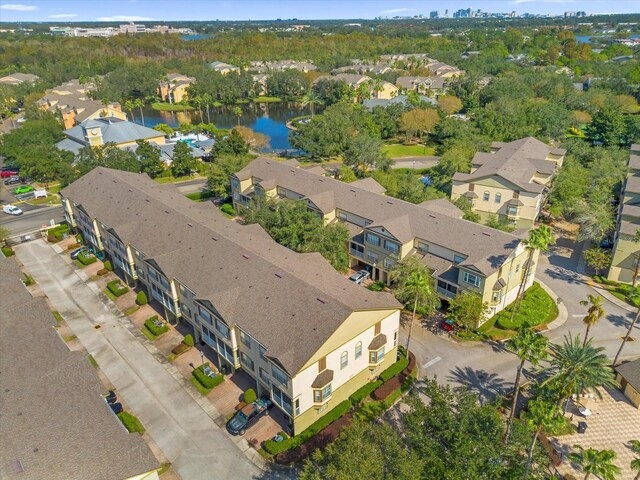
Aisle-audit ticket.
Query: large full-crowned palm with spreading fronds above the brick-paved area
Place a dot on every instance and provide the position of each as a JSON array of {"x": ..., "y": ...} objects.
[{"x": 576, "y": 367}]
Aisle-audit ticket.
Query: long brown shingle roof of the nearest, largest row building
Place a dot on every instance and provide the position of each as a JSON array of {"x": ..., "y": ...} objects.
[{"x": 271, "y": 292}]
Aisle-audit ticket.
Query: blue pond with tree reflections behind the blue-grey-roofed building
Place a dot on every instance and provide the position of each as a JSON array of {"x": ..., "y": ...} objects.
[{"x": 267, "y": 118}]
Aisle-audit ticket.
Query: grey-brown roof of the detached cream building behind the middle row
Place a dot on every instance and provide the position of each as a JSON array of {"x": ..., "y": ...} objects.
[{"x": 516, "y": 162}]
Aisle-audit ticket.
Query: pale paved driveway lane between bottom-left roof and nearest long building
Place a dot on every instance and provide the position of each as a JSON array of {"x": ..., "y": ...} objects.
[{"x": 188, "y": 437}]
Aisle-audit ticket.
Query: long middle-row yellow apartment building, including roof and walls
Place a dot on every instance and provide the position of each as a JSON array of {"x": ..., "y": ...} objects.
[{"x": 463, "y": 255}]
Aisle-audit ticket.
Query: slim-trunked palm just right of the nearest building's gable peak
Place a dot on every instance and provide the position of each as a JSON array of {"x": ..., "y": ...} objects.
[{"x": 412, "y": 282}]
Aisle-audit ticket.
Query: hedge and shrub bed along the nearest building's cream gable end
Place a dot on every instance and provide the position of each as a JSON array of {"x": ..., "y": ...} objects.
[{"x": 400, "y": 376}]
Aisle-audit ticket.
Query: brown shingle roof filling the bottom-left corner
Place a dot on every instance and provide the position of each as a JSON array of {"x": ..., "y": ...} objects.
[{"x": 54, "y": 422}]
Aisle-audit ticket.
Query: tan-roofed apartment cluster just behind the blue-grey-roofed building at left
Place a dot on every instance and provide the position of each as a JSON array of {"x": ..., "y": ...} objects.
[{"x": 74, "y": 103}]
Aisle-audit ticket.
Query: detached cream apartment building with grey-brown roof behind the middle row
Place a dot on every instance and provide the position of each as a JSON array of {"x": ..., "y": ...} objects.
[{"x": 511, "y": 182}]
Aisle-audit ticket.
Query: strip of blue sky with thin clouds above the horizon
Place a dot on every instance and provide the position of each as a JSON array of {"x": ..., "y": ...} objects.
[{"x": 158, "y": 10}]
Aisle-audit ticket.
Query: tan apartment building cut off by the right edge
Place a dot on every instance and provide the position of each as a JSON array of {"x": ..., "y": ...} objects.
[{"x": 626, "y": 251}]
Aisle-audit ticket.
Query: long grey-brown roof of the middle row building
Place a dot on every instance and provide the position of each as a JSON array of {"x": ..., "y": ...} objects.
[{"x": 485, "y": 248}]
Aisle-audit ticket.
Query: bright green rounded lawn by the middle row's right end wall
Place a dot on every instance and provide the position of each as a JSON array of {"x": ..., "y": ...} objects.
[{"x": 537, "y": 308}]
